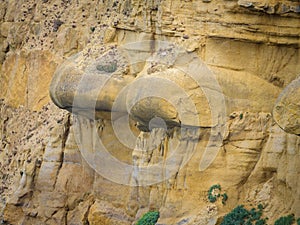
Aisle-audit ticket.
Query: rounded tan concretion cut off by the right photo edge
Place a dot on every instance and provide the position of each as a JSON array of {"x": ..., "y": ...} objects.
[{"x": 286, "y": 111}]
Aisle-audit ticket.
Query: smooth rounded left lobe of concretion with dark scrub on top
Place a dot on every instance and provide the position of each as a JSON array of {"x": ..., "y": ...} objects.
[{"x": 89, "y": 85}]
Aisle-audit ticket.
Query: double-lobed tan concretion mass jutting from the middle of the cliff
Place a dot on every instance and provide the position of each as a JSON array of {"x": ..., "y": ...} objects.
[{"x": 165, "y": 82}]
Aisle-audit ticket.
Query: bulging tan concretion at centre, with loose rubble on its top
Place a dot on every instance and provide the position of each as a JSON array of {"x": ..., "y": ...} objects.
[{"x": 177, "y": 87}]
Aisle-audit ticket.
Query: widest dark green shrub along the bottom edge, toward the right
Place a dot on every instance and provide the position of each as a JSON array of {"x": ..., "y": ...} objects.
[{"x": 242, "y": 216}]
